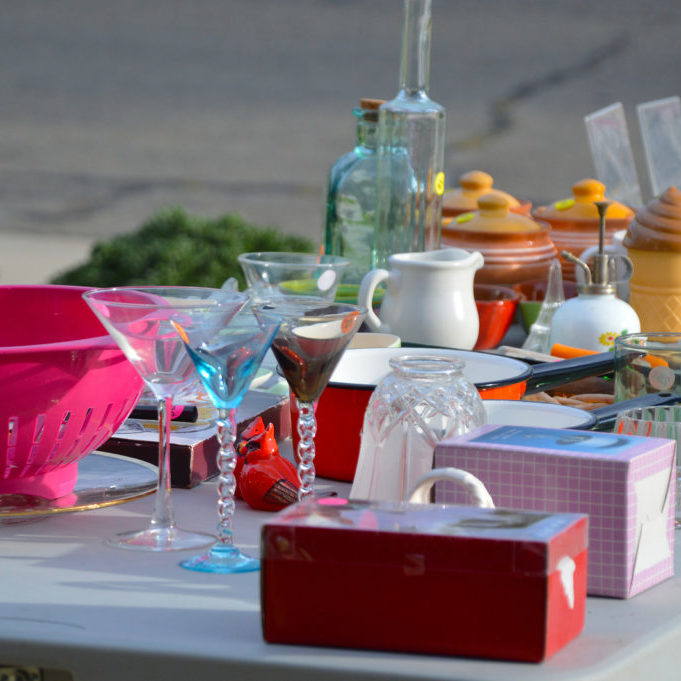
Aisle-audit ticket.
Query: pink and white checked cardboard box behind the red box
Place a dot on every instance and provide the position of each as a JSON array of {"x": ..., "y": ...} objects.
[{"x": 624, "y": 483}]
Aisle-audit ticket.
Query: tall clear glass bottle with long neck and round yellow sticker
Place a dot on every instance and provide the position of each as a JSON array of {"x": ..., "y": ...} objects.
[{"x": 410, "y": 155}]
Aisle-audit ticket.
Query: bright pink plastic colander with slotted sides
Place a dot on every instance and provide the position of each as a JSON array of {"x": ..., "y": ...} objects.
[{"x": 65, "y": 387}]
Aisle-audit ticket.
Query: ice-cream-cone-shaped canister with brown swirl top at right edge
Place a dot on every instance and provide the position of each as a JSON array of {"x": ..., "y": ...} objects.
[{"x": 653, "y": 242}]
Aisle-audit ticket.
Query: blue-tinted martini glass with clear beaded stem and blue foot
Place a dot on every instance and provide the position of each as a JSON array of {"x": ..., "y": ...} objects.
[{"x": 227, "y": 363}]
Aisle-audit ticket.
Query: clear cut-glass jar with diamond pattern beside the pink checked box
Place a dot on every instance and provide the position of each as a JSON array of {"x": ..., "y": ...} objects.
[{"x": 425, "y": 399}]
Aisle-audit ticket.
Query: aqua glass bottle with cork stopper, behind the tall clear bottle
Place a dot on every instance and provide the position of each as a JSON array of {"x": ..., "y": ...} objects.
[{"x": 351, "y": 197}]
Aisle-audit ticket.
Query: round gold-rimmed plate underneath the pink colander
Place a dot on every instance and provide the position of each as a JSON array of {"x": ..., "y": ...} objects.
[{"x": 103, "y": 480}]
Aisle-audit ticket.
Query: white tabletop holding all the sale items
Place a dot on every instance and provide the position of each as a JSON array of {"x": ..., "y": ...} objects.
[{"x": 69, "y": 602}]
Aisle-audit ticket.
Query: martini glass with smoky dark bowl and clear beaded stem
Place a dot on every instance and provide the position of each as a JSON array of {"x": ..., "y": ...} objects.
[{"x": 309, "y": 344}]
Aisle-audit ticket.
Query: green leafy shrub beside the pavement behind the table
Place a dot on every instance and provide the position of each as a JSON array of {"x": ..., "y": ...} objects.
[{"x": 174, "y": 248}]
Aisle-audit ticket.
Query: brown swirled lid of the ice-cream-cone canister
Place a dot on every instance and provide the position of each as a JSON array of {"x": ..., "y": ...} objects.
[{"x": 657, "y": 225}]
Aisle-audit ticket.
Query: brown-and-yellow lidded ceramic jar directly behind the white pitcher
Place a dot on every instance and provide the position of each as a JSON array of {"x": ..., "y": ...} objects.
[{"x": 515, "y": 247}]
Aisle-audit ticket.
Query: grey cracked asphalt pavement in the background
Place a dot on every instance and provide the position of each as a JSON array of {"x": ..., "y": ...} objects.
[{"x": 110, "y": 111}]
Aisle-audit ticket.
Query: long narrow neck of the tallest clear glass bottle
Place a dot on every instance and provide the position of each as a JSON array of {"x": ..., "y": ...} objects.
[{"x": 415, "y": 67}]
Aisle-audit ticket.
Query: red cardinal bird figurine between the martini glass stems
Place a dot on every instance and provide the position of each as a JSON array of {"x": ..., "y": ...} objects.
[{"x": 266, "y": 480}]
